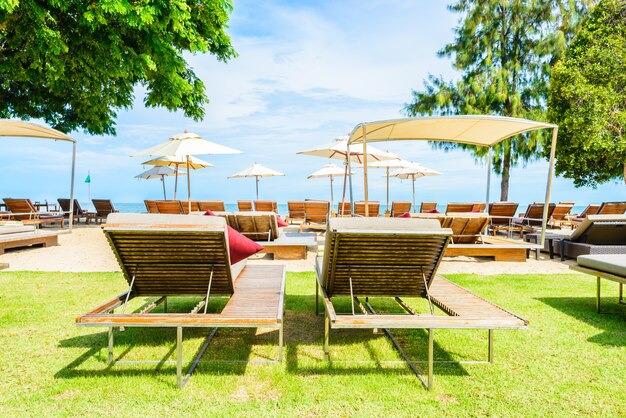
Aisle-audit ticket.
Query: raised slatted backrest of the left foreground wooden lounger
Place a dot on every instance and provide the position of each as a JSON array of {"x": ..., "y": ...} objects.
[{"x": 171, "y": 255}]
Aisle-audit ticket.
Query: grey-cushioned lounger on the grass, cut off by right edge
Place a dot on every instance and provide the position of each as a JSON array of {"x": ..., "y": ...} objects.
[{"x": 605, "y": 266}]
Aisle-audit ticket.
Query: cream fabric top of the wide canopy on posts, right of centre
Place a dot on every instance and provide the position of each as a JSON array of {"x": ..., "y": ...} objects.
[{"x": 479, "y": 130}]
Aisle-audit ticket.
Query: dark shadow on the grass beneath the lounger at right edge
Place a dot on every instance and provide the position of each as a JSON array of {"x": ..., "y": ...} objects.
[{"x": 584, "y": 309}]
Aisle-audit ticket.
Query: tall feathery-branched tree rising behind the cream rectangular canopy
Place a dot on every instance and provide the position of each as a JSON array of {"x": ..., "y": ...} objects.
[{"x": 504, "y": 50}]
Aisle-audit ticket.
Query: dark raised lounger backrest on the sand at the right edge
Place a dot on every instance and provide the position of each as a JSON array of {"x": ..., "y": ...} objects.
[{"x": 601, "y": 230}]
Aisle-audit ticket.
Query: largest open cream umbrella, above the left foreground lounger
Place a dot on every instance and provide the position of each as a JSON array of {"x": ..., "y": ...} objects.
[{"x": 186, "y": 145}]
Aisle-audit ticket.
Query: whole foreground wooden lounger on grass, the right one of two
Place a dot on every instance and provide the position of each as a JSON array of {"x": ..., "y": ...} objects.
[{"x": 398, "y": 258}]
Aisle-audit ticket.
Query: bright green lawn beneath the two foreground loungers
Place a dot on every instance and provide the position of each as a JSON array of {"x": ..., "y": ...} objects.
[{"x": 570, "y": 362}]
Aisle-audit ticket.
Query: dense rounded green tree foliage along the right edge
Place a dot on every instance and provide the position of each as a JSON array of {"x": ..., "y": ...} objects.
[{"x": 588, "y": 99}]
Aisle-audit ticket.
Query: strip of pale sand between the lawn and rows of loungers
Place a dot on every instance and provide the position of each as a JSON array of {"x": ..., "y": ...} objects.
[{"x": 86, "y": 249}]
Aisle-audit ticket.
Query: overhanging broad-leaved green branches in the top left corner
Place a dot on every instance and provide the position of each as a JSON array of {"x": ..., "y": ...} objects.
[{"x": 75, "y": 63}]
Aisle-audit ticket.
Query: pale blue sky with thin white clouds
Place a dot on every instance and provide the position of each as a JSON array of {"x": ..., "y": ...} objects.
[{"x": 307, "y": 72}]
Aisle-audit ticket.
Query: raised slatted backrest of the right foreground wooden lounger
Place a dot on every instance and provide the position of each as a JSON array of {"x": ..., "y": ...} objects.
[{"x": 382, "y": 257}]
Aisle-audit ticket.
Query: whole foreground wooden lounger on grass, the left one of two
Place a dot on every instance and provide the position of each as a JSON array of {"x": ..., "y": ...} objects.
[{"x": 165, "y": 256}]
